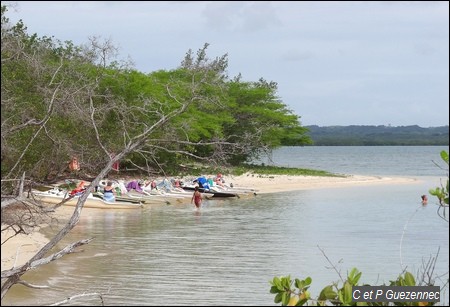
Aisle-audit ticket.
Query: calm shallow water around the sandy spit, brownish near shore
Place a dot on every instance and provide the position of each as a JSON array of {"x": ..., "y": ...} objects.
[{"x": 227, "y": 253}]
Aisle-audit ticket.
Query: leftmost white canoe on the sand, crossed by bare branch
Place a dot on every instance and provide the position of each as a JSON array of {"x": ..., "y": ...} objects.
[{"x": 53, "y": 197}]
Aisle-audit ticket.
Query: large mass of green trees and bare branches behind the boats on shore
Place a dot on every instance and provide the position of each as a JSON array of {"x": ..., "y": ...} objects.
[{"x": 61, "y": 100}]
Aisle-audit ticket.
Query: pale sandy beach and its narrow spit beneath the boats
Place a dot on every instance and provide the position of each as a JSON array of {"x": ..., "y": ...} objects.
[{"x": 21, "y": 248}]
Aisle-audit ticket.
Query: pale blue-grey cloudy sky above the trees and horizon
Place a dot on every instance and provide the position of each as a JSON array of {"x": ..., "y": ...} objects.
[{"x": 335, "y": 63}]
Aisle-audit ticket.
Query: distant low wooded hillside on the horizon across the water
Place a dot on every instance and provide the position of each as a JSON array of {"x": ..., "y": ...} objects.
[{"x": 378, "y": 135}]
